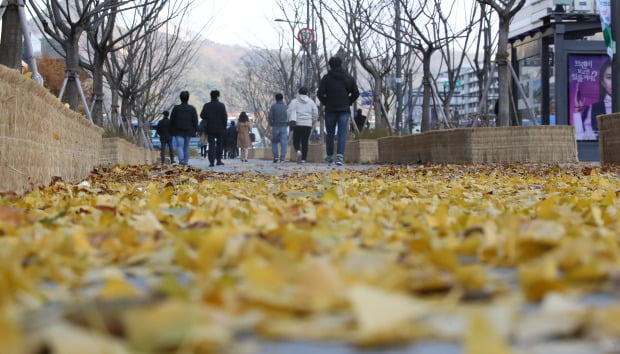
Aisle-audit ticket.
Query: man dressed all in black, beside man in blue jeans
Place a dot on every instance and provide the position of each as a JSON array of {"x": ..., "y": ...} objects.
[{"x": 214, "y": 113}]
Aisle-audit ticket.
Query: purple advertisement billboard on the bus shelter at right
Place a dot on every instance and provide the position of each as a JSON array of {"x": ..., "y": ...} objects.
[{"x": 589, "y": 93}]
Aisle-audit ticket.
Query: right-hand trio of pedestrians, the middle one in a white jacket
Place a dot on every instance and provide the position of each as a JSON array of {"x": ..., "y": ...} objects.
[{"x": 337, "y": 92}]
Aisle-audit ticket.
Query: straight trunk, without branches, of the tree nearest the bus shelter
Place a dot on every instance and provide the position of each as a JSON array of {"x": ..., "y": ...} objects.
[{"x": 502, "y": 58}]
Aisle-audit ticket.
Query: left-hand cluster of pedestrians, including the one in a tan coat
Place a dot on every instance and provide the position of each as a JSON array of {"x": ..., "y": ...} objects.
[{"x": 183, "y": 125}]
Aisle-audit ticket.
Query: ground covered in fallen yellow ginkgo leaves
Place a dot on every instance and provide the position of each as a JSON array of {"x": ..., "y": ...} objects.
[{"x": 503, "y": 259}]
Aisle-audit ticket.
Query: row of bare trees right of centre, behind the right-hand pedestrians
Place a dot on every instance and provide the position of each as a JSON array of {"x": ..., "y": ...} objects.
[{"x": 391, "y": 46}]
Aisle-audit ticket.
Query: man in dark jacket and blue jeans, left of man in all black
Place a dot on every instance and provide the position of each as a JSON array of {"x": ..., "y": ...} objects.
[{"x": 183, "y": 126}]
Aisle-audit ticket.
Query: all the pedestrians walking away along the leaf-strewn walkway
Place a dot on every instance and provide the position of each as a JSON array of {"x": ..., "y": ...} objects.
[{"x": 337, "y": 92}]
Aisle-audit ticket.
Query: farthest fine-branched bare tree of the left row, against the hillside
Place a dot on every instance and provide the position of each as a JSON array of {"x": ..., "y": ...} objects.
[{"x": 142, "y": 74}]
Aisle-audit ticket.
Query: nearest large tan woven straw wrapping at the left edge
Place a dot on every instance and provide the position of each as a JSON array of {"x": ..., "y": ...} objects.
[{"x": 40, "y": 138}]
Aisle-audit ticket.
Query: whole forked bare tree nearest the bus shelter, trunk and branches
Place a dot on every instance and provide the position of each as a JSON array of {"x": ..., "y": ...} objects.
[{"x": 506, "y": 10}]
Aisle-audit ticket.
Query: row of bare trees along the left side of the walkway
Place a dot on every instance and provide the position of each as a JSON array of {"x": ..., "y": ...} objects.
[{"x": 135, "y": 50}]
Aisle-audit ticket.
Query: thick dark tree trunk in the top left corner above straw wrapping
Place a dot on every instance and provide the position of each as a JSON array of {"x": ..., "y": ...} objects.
[{"x": 11, "y": 41}]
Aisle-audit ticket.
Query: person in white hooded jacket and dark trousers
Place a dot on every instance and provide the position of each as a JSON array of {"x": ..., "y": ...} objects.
[{"x": 302, "y": 114}]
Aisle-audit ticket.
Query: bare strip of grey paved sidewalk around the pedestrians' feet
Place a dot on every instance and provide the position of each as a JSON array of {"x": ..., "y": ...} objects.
[{"x": 270, "y": 168}]
